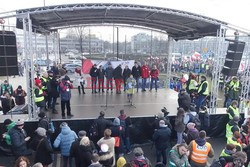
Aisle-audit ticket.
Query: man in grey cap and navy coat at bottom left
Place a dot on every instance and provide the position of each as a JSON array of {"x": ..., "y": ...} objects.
[{"x": 18, "y": 140}]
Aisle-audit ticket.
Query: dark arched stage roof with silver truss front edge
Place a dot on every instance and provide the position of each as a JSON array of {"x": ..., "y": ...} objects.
[{"x": 177, "y": 24}]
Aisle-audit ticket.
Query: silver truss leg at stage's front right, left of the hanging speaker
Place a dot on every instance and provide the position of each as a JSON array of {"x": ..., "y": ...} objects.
[{"x": 219, "y": 59}]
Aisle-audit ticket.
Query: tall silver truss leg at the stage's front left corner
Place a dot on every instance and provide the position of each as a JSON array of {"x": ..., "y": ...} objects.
[{"x": 28, "y": 52}]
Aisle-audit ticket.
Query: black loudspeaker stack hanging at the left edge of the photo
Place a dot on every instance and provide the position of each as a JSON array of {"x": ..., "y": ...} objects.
[{"x": 8, "y": 53}]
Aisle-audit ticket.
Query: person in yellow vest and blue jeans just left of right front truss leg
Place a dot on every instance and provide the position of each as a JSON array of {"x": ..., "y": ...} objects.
[{"x": 203, "y": 92}]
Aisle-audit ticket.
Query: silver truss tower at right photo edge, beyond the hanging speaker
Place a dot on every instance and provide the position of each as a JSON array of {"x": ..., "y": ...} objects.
[{"x": 245, "y": 78}]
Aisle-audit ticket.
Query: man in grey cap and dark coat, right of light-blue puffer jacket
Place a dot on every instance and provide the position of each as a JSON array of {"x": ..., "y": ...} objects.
[{"x": 75, "y": 146}]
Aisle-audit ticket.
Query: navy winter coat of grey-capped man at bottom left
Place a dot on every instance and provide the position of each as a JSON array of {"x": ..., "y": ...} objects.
[{"x": 18, "y": 144}]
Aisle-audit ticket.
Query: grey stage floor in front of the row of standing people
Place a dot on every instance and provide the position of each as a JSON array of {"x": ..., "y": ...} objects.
[{"x": 147, "y": 103}]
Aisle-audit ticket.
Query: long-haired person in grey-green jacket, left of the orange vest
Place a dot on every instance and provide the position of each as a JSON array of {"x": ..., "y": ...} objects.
[{"x": 178, "y": 156}]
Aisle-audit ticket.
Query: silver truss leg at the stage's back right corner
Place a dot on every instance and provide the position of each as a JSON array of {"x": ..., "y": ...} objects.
[{"x": 169, "y": 59}]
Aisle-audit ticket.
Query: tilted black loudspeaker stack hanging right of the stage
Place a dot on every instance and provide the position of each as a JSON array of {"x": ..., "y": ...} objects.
[{"x": 233, "y": 57}]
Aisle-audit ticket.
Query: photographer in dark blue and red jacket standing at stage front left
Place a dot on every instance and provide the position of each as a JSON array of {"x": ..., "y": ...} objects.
[{"x": 65, "y": 92}]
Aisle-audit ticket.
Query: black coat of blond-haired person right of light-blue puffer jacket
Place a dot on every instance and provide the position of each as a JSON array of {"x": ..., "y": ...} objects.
[{"x": 84, "y": 154}]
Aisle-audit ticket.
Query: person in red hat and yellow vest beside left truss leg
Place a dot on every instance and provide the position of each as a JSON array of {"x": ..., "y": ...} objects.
[{"x": 39, "y": 95}]
